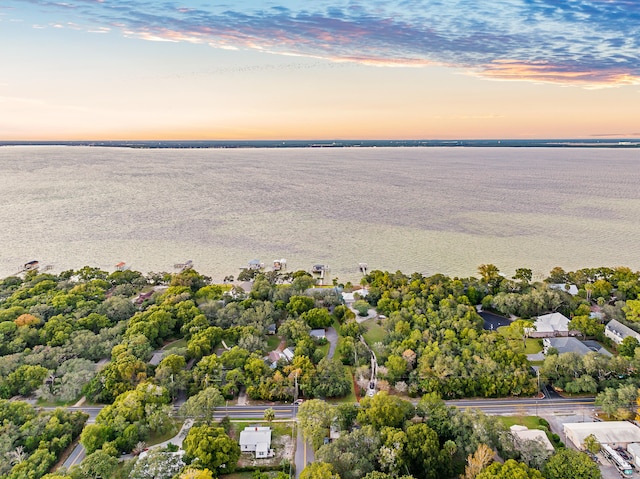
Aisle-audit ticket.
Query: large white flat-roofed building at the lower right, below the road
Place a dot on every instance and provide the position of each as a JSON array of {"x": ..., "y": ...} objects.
[{"x": 614, "y": 433}]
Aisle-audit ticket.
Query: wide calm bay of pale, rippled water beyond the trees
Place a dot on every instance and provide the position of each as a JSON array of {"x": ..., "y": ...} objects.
[{"x": 429, "y": 210}]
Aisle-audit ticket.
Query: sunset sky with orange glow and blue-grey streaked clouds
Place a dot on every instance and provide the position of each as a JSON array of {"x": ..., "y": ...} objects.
[{"x": 321, "y": 69}]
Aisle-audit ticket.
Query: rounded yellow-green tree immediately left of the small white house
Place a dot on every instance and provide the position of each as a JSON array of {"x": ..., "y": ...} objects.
[{"x": 210, "y": 447}]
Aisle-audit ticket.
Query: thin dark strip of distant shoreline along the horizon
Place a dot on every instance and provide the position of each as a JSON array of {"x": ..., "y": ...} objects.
[{"x": 221, "y": 144}]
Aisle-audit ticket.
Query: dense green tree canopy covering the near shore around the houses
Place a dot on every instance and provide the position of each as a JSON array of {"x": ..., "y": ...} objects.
[{"x": 137, "y": 343}]
